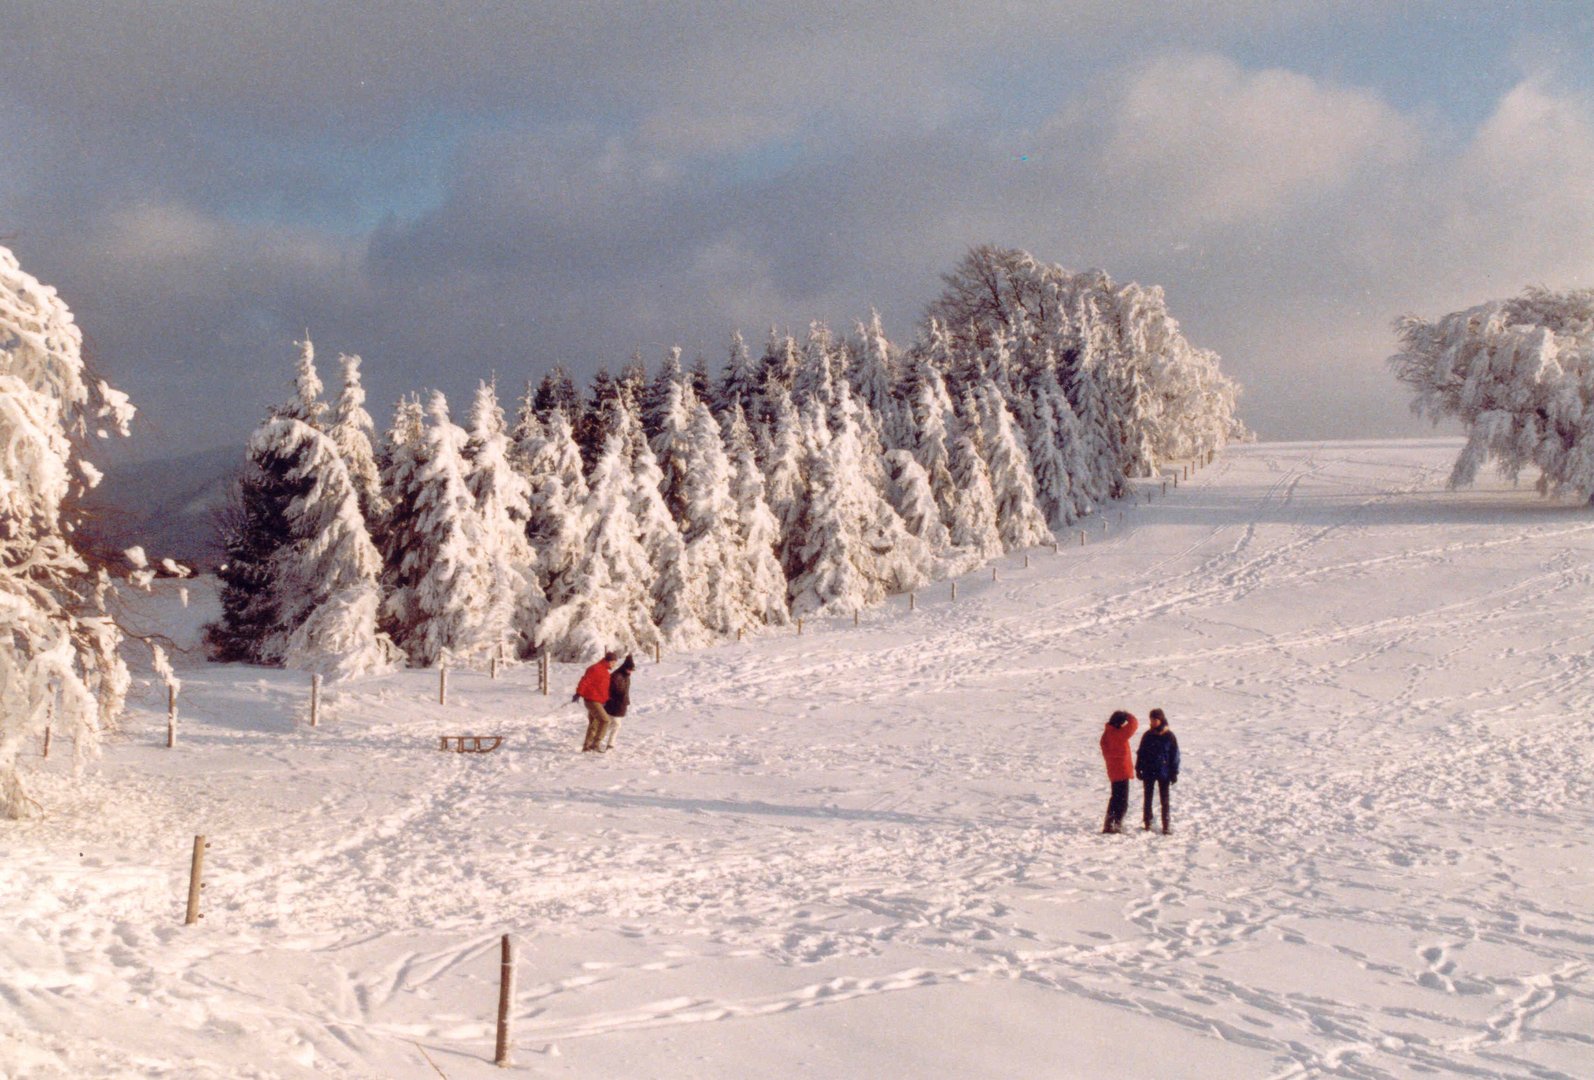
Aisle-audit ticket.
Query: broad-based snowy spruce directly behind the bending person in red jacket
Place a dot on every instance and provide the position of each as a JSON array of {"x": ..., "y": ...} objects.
[{"x": 607, "y": 603}]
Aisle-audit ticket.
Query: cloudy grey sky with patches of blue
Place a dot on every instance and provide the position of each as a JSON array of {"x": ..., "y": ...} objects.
[{"x": 460, "y": 190}]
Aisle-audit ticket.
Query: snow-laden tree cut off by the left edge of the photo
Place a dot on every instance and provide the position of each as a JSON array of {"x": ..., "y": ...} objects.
[{"x": 58, "y": 646}]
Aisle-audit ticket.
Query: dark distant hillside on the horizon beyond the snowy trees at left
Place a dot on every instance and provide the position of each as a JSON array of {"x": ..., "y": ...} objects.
[{"x": 167, "y": 506}]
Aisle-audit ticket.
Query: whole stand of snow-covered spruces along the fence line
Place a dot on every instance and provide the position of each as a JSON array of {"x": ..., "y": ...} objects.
[{"x": 680, "y": 507}]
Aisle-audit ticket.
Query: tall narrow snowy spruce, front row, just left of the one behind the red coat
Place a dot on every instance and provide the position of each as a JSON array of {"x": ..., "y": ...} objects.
[{"x": 503, "y": 496}]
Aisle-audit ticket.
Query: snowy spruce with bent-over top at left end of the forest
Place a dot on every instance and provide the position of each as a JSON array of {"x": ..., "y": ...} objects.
[{"x": 328, "y": 577}]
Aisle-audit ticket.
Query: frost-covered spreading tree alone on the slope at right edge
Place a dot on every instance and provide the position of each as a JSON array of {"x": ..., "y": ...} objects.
[{"x": 1520, "y": 375}]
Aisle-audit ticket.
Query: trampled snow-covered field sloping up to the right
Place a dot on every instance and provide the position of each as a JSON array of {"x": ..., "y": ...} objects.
[{"x": 876, "y": 851}]
